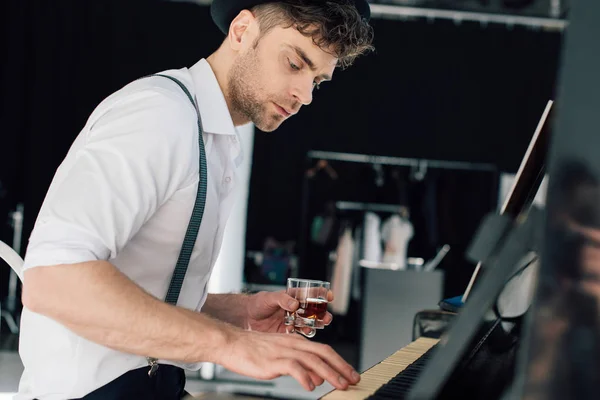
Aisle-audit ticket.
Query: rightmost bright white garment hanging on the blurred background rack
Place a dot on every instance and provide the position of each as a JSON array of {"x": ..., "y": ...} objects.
[{"x": 396, "y": 233}]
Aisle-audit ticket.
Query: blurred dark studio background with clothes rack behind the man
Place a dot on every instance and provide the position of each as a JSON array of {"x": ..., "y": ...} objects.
[{"x": 427, "y": 132}]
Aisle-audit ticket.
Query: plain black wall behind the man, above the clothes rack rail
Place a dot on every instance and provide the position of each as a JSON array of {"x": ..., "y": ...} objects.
[{"x": 434, "y": 90}]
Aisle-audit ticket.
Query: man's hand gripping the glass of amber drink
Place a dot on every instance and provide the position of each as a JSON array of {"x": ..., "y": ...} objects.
[{"x": 266, "y": 312}]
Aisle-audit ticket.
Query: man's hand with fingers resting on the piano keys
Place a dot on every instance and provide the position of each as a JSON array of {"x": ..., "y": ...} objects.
[{"x": 270, "y": 355}]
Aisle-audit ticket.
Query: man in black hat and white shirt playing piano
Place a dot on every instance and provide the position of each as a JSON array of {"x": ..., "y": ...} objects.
[{"x": 107, "y": 238}]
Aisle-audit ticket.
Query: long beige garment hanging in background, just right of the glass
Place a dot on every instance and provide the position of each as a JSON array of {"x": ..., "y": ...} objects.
[{"x": 342, "y": 274}]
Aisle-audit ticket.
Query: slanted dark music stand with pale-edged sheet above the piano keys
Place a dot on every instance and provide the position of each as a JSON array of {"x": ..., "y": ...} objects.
[{"x": 522, "y": 222}]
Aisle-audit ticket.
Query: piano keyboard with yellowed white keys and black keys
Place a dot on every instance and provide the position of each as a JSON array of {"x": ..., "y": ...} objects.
[{"x": 392, "y": 377}]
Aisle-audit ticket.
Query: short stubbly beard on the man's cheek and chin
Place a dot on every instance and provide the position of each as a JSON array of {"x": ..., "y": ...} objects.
[{"x": 245, "y": 93}]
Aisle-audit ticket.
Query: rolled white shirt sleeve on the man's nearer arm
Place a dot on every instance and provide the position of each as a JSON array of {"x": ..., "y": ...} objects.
[{"x": 132, "y": 159}]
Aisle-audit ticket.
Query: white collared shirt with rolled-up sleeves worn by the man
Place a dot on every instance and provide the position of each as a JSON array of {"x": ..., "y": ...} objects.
[{"x": 125, "y": 193}]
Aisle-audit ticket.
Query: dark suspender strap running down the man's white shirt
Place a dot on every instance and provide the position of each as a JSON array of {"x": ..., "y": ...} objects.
[{"x": 194, "y": 224}]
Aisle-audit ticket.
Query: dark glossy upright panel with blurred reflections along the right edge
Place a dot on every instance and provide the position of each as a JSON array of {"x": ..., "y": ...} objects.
[{"x": 561, "y": 331}]
